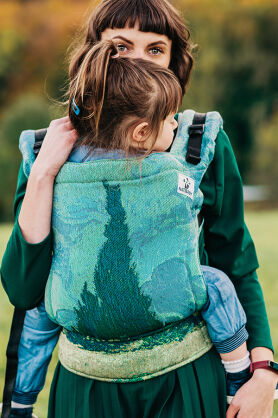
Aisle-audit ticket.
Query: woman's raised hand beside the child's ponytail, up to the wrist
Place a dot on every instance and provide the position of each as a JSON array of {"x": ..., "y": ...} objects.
[{"x": 56, "y": 147}]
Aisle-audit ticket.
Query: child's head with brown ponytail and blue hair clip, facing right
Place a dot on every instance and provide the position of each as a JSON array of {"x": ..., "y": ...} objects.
[{"x": 124, "y": 103}]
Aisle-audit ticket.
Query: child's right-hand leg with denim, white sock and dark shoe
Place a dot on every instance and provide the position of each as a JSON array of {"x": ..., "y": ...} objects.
[{"x": 226, "y": 321}]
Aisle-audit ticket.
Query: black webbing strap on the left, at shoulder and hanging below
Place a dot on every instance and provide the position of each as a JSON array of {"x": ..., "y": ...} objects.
[{"x": 17, "y": 326}]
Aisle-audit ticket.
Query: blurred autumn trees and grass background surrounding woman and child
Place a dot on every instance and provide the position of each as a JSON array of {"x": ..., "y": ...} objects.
[{"x": 235, "y": 73}]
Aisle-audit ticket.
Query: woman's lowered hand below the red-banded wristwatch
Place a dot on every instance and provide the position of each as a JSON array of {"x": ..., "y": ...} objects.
[{"x": 255, "y": 398}]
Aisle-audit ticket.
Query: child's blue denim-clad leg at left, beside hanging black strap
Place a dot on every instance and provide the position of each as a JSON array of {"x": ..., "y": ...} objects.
[{"x": 38, "y": 339}]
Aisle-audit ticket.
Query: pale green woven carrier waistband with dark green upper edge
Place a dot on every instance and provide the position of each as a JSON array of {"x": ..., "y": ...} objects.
[{"x": 137, "y": 359}]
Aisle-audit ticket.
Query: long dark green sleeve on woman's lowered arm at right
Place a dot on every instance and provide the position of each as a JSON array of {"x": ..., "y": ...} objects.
[{"x": 225, "y": 242}]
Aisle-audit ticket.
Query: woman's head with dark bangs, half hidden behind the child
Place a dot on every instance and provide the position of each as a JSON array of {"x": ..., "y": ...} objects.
[{"x": 134, "y": 19}]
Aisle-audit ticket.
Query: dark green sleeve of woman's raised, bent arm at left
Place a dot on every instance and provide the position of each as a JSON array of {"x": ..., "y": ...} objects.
[{"x": 25, "y": 267}]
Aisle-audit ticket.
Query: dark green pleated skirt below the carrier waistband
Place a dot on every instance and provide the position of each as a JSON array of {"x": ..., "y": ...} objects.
[{"x": 195, "y": 390}]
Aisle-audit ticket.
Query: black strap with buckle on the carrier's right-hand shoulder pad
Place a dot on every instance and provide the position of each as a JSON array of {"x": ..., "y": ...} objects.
[{"x": 196, "y": 131}]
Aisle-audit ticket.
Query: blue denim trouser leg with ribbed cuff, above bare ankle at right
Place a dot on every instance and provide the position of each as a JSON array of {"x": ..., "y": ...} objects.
[{"x": 223, "y": 313}]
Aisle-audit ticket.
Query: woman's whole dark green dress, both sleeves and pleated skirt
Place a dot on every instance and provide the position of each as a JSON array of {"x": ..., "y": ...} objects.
[{"x": 195, "y": 390}]
